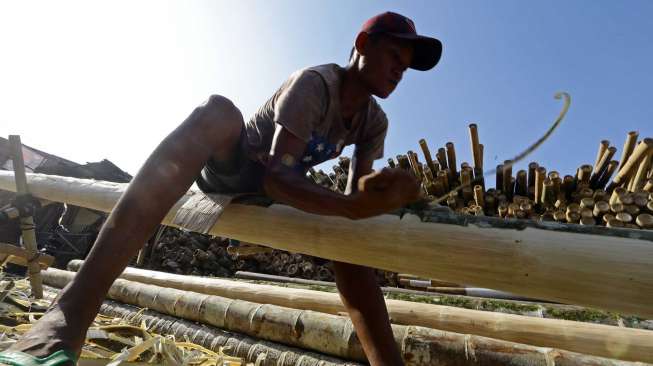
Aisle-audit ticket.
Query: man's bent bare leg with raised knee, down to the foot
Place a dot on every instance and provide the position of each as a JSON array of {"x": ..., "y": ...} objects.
[{"x": 212, "y": 130}]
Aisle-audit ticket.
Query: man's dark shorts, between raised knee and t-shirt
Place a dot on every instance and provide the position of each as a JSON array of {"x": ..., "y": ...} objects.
[{"x": 240, "y": 175}]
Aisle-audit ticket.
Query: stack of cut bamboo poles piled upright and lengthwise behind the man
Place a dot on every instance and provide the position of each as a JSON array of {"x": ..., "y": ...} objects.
[{"x": 613, "y": 193}]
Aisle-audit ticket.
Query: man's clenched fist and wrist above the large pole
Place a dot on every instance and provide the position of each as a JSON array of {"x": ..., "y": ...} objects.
[{"x": 384, "y": 191}]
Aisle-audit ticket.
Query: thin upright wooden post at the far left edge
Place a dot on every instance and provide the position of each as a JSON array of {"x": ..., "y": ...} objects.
[{"x": 27, "y": 223}]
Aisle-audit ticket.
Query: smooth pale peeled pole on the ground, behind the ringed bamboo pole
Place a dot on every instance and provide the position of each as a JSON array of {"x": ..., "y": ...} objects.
[{"x": 574, "y": 336}]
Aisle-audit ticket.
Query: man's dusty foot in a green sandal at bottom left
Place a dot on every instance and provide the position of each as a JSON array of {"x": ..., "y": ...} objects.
[{"x": 53, "y": 332}]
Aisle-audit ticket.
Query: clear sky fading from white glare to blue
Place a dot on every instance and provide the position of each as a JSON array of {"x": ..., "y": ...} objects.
[{"x": 91, "y": 80}]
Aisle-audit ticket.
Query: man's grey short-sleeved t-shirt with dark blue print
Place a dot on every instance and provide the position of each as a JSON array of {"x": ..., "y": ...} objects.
[{"x": 308, "y": 106}]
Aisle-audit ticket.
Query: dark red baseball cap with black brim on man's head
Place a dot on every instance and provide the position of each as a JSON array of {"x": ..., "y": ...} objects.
[{"x": 427, "y": 50}]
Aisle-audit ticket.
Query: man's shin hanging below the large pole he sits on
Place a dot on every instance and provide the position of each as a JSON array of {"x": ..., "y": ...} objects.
[{"x": 362, "y": 296}]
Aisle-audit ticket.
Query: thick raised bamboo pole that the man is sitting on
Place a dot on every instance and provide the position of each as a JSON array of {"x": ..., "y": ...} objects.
[{"x": 535, "y": 262}]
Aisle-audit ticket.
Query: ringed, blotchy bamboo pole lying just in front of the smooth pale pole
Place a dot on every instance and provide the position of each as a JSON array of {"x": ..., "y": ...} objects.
[{"x": 329, "y": 334}]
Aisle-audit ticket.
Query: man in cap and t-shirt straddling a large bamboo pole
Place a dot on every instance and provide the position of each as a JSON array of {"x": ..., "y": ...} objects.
[{"x": 314, "y": 114}]
